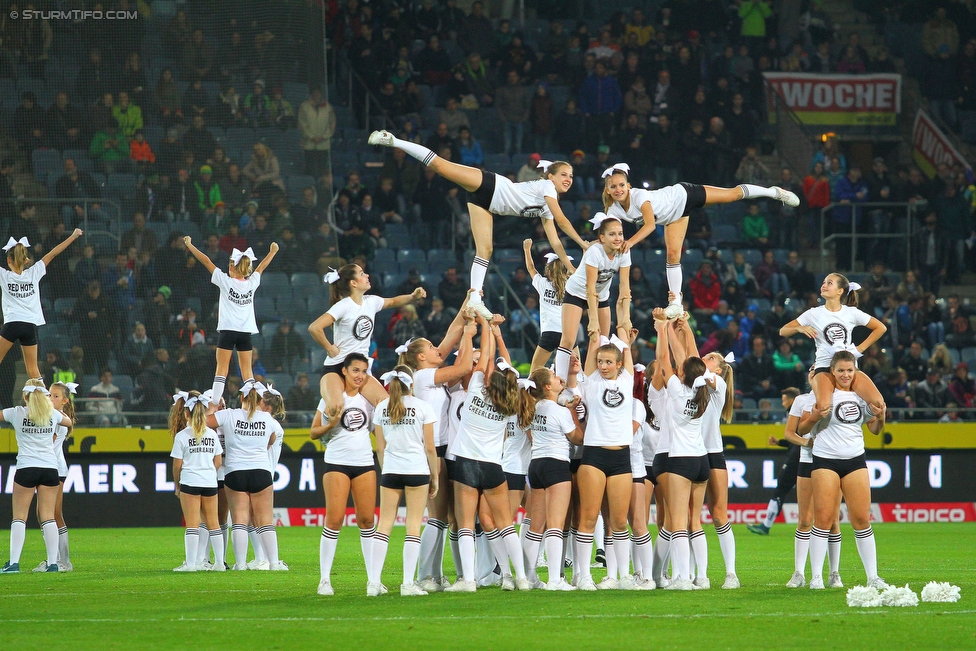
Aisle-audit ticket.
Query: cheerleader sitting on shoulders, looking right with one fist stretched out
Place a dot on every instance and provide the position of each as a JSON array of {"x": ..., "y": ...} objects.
[{"x": 352, "y": 315}]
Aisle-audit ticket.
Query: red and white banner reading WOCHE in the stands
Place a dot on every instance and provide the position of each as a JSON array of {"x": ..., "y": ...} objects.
[{"x": 841, "y": 100}]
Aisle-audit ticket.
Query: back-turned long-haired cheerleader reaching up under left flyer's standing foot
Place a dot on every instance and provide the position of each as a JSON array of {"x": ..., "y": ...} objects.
[{"x": 493, "y": 398}]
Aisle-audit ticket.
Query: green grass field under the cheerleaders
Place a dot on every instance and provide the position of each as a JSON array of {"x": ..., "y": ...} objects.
[{"x": 123, "y": 594}]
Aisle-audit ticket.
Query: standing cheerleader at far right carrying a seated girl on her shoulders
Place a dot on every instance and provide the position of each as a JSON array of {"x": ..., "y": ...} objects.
[{"x": 839, "y": 468}]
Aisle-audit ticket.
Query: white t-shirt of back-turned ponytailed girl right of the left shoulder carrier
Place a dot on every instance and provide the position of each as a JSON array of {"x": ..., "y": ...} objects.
[{"x": 405, "y": 452}]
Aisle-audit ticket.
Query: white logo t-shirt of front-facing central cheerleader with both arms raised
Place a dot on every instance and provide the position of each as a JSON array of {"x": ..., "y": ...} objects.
[{"x": 611, "y": 409}]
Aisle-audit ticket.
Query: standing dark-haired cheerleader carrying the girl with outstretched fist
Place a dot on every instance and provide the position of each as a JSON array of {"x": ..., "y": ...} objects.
[{"x": 348, "y": 468}]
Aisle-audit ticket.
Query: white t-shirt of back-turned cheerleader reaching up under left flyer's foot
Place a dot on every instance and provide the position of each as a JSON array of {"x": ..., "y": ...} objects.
[{"x": 481, "y": 432}]
